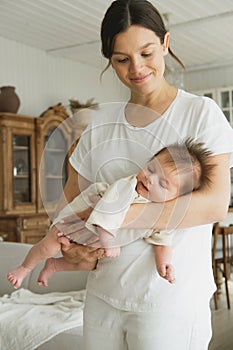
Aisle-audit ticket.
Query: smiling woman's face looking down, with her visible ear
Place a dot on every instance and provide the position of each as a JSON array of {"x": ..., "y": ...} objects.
[{"x": 138, "y": 59}]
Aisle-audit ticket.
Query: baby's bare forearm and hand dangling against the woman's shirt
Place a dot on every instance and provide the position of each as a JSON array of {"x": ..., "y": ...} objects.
[{"x": 163, "y": 262}]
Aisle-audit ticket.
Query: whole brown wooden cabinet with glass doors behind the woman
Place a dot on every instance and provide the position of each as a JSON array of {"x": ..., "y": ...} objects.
[{"x": 34, "y": 167}]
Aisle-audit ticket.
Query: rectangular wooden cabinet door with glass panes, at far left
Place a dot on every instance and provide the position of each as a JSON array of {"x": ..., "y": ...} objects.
[{"x": 17, "y": 164}]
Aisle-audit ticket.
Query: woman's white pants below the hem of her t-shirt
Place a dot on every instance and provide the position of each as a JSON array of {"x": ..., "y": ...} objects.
[{"x": 108, "y": 328}]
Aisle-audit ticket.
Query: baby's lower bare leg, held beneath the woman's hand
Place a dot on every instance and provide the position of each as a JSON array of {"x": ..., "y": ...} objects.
[{"x": 53, "y": 265}]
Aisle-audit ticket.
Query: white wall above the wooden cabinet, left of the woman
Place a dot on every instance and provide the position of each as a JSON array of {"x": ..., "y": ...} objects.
[{"x": 43, "y": 80}]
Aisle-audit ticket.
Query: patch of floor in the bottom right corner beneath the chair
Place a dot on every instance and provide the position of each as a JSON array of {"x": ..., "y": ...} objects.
[{"x": 222, "y": 322}]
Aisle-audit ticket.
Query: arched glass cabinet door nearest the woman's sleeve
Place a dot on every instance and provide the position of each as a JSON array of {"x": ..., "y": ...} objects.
[{"x": 53, "y": 163}]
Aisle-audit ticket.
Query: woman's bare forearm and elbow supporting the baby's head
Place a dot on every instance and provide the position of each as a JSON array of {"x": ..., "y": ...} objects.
[{"x": 207, "y": 205}]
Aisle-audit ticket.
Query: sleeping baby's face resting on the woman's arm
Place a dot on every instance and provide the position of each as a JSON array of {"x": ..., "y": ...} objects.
[{"x": 157, "y": 182}]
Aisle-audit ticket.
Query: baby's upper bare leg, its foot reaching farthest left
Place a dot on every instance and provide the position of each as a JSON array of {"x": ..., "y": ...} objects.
[{"x": 44, "y": 249}]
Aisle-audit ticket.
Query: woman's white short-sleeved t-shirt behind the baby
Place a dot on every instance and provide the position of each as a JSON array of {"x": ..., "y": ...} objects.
[{"x": 110, "y": 149}]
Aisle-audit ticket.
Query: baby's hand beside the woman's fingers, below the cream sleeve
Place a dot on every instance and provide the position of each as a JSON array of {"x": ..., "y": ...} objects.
[{"x": 107, "y": 241}]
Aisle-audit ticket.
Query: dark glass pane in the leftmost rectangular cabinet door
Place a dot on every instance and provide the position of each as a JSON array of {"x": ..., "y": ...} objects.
[{"x": 22, "y": 169}]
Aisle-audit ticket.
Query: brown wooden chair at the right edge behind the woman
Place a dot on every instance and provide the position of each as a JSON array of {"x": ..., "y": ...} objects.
[{"x": 222, "y": 257}]
